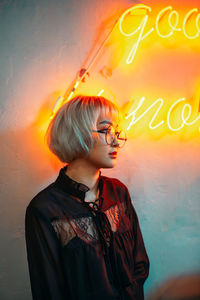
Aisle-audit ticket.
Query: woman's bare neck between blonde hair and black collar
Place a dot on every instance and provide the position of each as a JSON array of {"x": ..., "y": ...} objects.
[{"x": 80, "y": 171}]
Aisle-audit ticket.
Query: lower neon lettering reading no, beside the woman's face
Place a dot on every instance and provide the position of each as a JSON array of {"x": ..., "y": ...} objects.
[{"x": 184, "y": 119}]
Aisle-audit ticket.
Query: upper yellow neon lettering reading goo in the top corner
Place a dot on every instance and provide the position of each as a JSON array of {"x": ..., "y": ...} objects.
[{"x": 167, "y": 12}]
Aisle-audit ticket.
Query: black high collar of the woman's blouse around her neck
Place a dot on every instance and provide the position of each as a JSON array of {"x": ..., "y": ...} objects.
[{"x": 77, "y": 189}]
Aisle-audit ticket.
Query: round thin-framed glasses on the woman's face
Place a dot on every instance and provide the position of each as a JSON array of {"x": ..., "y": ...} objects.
[{"x": 112, "y": 133}]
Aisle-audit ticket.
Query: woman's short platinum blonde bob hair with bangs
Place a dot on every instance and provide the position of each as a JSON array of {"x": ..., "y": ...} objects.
[{"x": 69, "y": 133}]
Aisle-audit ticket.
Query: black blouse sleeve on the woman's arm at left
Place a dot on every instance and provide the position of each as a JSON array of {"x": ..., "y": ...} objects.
[{"x": 46, "y": 274}]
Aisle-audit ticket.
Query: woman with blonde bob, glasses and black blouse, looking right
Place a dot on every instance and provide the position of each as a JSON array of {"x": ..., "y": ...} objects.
[{"x": 82, "y": 233}]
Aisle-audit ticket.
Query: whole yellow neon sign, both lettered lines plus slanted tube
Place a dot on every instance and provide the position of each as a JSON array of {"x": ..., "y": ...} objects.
[{"x": 171, "y": 17}]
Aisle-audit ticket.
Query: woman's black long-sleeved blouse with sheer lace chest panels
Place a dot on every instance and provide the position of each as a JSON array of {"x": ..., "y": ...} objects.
[{"x": 79, "y": 250}]
